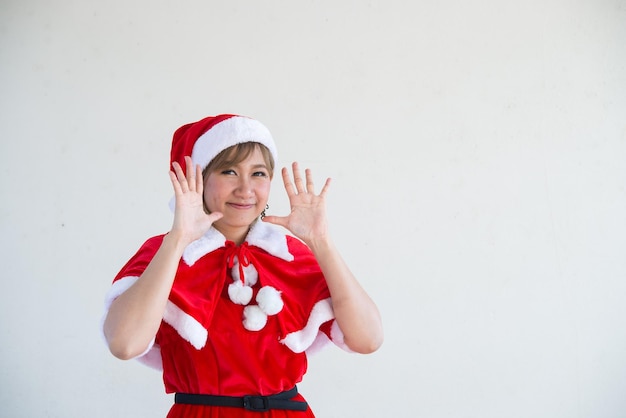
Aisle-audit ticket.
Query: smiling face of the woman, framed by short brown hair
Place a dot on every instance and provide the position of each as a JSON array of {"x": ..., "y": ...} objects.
[{"x": 240, "y": 192}]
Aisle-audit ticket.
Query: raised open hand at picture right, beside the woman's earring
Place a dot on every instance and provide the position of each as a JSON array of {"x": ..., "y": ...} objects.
[{"x": 307, "y": 219}]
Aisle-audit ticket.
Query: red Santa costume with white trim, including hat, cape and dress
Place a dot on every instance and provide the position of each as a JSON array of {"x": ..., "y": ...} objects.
[{"x": 239, "y": 320}]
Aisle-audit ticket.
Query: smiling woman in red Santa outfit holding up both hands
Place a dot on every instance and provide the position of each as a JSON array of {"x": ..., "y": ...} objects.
[{"x": 227, "y": 303}]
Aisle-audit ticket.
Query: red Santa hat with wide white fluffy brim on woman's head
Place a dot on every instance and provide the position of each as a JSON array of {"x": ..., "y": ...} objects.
[{"x": 204, "y": 139}]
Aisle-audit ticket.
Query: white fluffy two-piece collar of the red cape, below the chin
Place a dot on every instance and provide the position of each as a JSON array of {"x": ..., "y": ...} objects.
[{"x": 263, "y": 235}]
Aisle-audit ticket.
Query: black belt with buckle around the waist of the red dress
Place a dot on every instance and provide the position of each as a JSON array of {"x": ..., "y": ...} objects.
[{"x": 250, "y": 402}]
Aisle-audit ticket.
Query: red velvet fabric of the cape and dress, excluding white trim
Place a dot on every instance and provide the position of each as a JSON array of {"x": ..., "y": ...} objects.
[{"x": 235, "y": 361}]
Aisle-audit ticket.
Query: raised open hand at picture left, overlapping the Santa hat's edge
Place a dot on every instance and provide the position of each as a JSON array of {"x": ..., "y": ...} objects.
[{"x": 190, "y": 220}]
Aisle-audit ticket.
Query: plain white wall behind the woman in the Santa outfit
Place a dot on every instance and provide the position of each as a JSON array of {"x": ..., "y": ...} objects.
[{"x": 478, "y": 157}]
